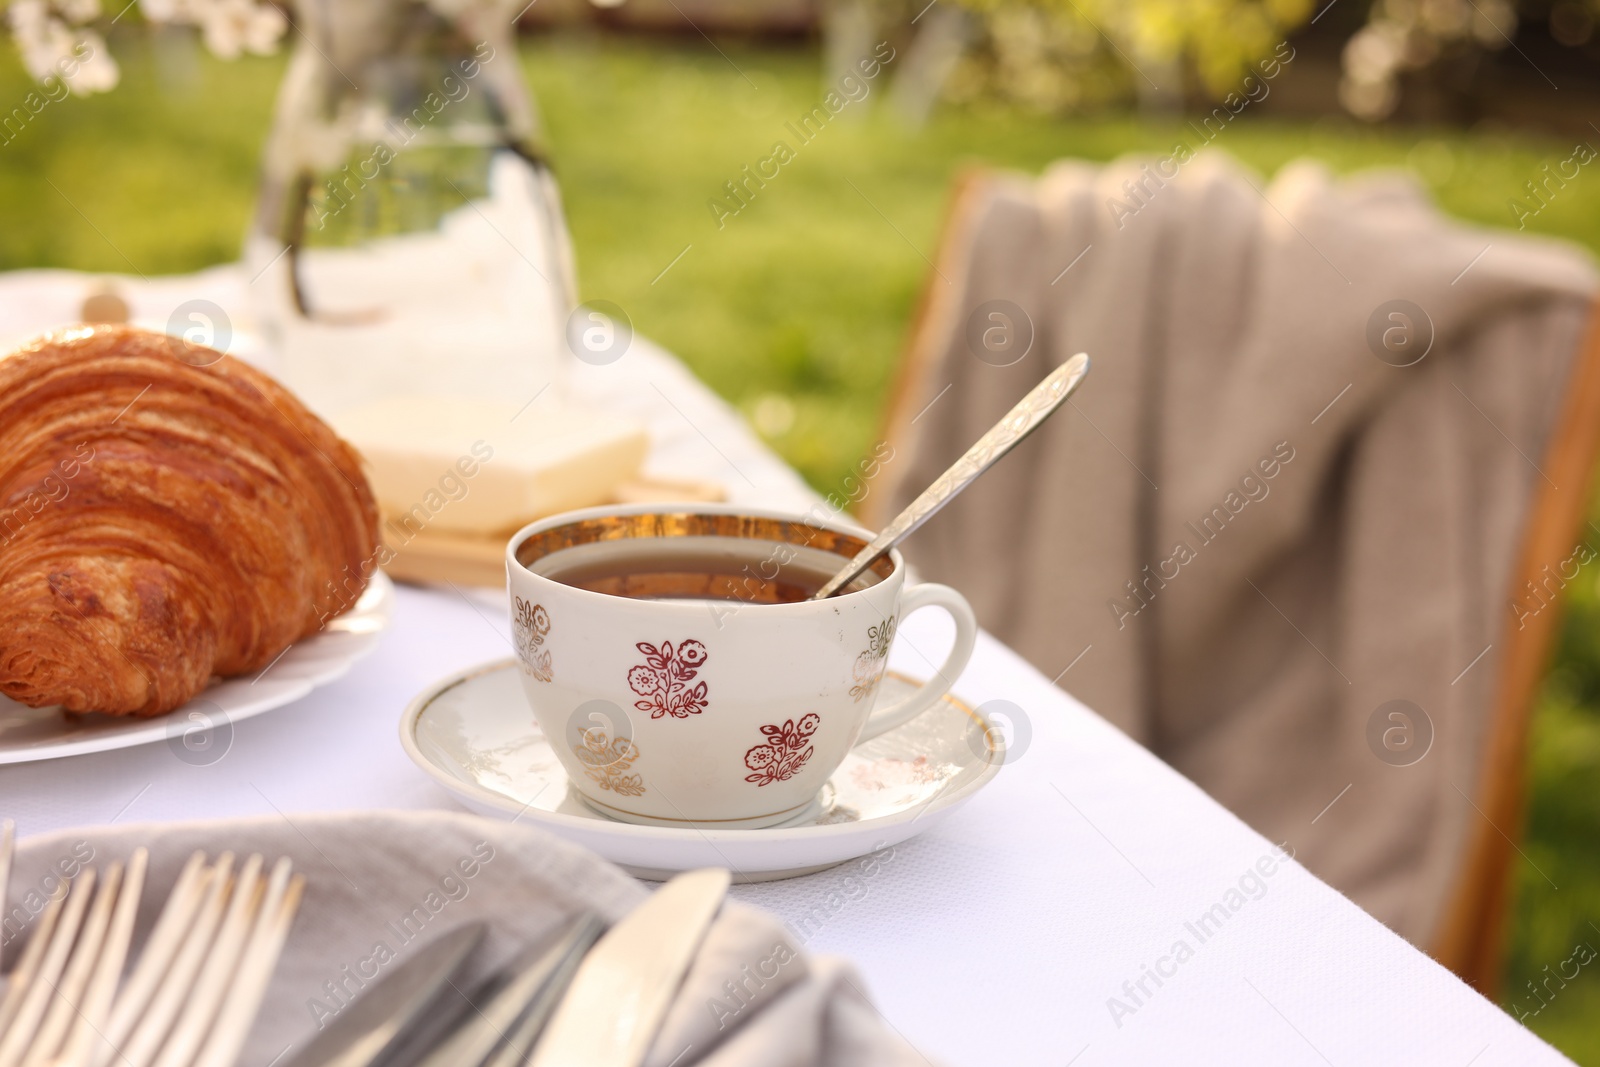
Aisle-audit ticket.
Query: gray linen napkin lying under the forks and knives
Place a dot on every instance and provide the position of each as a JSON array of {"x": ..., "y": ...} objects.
[{"x": 382, "y": 884}]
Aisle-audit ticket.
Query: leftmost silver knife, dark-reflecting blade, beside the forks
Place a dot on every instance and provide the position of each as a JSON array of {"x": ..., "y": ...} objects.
[{"x": 390, "y": 1013}]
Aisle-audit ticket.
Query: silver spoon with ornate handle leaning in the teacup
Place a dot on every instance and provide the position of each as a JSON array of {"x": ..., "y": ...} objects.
[{"x": 1001, "y": 439}]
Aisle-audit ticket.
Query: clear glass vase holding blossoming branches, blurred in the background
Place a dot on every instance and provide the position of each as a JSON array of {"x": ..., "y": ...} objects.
[{"x": 409, "y": 236}]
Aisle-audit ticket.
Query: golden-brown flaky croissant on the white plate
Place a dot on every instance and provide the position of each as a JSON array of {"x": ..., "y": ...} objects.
[{"x": 167, "y": 514}]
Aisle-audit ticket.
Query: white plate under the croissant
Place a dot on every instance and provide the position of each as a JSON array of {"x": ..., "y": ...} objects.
[{"x": 47, "y": 733}]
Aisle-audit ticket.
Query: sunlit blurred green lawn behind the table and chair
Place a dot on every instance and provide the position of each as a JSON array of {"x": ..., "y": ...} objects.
[{"x": 802, "y": 297}]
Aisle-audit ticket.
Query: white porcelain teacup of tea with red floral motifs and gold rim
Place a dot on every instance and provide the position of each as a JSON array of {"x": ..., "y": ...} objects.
[{"x": 681, "y": 676}]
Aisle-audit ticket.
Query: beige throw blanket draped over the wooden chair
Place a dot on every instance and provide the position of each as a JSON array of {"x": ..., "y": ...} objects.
[{"x": 1250, "y": 533}]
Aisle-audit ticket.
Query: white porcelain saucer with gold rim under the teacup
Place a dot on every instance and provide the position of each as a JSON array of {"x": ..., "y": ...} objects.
[{"x": 476, "y": 737}]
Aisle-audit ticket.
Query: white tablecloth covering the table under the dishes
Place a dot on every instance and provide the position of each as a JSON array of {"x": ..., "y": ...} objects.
[{"x": 1090, "y": 908}]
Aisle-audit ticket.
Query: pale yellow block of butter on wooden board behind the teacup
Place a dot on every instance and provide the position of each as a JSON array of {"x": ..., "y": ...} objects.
[{"x": 479, "y": 466}]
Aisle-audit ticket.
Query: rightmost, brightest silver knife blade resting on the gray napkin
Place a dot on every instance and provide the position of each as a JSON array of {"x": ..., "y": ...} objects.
[{"x": 623, "y": 988}]
